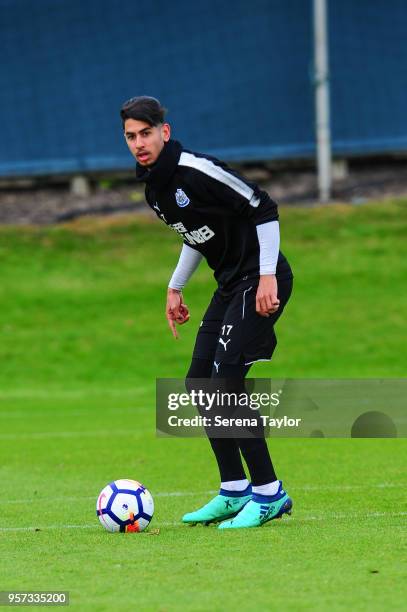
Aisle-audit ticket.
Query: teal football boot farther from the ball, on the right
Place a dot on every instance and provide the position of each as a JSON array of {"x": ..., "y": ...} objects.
[{"x": 261, "y": 509}]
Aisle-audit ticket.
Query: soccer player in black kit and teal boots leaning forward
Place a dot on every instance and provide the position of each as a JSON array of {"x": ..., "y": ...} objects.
[{"x": 233, "y": 225}]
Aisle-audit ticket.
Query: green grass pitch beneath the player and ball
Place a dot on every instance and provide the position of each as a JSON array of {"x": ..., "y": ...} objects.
[{"x": 83, "y": 337}]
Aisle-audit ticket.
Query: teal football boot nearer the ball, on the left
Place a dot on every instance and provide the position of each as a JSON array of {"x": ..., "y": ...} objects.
[{"x": 225, "y": 505}]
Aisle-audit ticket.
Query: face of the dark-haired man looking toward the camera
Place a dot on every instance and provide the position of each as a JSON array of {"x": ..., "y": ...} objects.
[{"x": 145, "y": 141}]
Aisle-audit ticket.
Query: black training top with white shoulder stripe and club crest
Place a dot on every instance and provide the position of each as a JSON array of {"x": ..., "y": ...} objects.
[{"x": 214, "y": 210}]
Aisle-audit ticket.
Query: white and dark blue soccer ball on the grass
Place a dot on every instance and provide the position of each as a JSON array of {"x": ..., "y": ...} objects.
[{"x": 125, "y": 505}]
